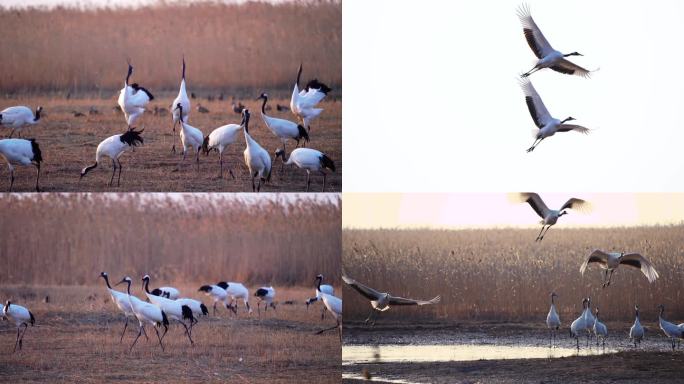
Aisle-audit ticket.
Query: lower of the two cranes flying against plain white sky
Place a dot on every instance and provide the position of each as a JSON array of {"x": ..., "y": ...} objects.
[{"x": 547, "y": 124}]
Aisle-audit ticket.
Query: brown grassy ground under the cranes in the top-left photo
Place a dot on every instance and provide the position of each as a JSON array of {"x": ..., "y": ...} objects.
[{"x": 68, "y": 144}]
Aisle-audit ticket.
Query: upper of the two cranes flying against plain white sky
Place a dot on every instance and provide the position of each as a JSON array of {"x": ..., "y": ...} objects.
[{"x": 548, "y": 57}]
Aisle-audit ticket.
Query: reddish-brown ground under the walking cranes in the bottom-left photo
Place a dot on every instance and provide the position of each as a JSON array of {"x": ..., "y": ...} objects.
[{"x": 76, "y": 339}]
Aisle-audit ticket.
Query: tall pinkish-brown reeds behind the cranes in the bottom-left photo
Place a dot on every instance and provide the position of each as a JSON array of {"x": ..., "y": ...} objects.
[{"x": 69, "y": 239}]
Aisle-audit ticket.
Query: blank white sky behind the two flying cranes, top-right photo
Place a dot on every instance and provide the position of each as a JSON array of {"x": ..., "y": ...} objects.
[{"x": 432, "y": 101}]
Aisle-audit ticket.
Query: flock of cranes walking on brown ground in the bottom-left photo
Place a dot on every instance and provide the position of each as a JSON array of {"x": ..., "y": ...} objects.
[{"x": 163, "y": 305}]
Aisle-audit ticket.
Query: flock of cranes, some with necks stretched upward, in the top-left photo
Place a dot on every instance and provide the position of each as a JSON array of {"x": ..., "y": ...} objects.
[{"x": 133, "y": 100}]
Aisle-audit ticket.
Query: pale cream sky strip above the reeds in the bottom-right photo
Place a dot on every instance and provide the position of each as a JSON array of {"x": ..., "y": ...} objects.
[{"x": 486, "y": 210}]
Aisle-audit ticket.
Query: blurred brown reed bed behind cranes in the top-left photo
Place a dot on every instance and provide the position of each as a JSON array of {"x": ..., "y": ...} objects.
[{"x": 226, "y": 46}]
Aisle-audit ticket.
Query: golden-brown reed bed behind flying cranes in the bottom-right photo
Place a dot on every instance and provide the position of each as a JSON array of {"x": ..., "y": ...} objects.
[{"x": 503, "y": 275}]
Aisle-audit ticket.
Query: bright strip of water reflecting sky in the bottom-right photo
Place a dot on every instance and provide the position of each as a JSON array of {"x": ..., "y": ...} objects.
[{"x": 356, "y": 354}]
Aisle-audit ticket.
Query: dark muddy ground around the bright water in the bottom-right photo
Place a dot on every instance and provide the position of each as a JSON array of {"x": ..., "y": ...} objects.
[{"x": 653, "y": 362}]
